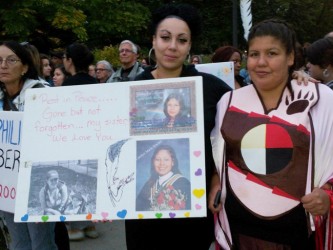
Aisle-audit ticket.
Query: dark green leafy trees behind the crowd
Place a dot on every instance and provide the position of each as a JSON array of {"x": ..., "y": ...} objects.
[{"x": 102, "y": 25}]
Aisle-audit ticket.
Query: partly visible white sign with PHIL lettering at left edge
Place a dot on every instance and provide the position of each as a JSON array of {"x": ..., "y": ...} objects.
[{"x": 10, "y": 147}]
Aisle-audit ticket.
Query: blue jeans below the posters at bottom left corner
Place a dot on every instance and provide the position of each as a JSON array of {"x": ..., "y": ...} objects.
[{"x": 30, "y": 236}]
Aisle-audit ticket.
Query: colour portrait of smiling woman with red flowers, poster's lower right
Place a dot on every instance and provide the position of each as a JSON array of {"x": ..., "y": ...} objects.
[{"x": 167, "y": 187}]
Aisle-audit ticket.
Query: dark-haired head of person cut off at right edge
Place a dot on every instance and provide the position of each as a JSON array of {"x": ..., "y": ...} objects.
[{"x": 320, "y": 60}]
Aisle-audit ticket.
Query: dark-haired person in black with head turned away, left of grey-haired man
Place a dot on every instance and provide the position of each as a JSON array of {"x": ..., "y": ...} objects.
[{"x": 76, "y": 60}]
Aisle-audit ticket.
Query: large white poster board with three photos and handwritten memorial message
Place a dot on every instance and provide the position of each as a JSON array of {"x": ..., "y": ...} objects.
[{"x": 100, "y": 140}]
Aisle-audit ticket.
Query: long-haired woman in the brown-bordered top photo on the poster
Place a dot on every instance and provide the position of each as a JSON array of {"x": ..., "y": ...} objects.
[{"x": 176, "y": 113}]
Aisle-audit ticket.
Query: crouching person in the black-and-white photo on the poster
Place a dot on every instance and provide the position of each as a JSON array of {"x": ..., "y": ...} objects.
[{"x": 54, "y": 195}]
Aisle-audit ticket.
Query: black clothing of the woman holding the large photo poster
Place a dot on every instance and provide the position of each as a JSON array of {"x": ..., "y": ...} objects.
[{"x": 184, "y": 233}]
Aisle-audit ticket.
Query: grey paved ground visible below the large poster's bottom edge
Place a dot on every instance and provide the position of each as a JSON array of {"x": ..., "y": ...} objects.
[{"x": 112, "y": 237}]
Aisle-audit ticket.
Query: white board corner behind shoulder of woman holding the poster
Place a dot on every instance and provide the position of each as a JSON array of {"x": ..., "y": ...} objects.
[{"x": 223, "y": 70}]
